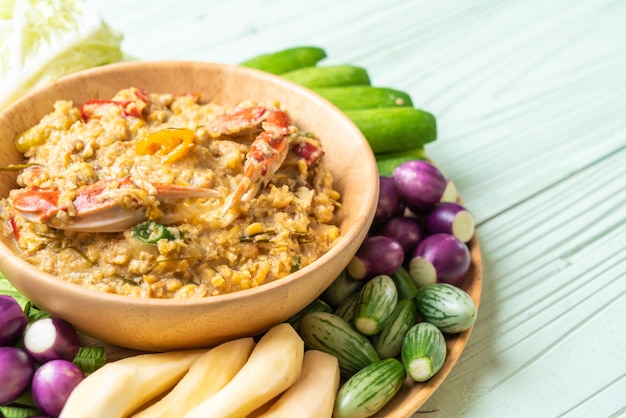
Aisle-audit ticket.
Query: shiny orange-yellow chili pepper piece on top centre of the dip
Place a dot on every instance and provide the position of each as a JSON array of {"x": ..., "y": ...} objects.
[{"x": 172, "y": 143}]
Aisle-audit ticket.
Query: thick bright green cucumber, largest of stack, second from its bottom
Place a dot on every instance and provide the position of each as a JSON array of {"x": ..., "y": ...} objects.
[{"x": 395, "y": 129}]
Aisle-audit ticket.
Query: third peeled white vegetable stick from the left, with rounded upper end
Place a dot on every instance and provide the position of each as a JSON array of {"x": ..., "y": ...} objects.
[{"x": 274, "y": 365}]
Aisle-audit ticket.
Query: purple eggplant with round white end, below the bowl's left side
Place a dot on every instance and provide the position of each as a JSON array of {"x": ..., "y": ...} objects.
[{"x": 50, "y": 339}]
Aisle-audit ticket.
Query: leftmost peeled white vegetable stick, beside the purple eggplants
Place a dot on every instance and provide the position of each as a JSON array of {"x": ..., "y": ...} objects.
[{"x": 119, "y": 388}]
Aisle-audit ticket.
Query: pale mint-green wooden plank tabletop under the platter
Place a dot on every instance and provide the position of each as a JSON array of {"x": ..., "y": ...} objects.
[{"x": 530, "y": 98}]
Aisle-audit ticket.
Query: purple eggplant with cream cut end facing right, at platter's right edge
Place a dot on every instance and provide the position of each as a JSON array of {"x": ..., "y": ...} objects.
[{"x": 450, "y": 218}]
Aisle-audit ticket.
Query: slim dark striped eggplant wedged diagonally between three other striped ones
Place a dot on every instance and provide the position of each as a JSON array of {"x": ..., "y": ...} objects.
[{"x": 388, "y": 342}]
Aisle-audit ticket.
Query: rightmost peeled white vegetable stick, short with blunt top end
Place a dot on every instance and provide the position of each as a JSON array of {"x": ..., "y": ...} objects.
[{"x": 313, "y": 395}]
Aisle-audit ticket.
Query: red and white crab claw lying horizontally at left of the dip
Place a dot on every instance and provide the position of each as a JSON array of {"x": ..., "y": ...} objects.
[{"x": 95, "y": 211}]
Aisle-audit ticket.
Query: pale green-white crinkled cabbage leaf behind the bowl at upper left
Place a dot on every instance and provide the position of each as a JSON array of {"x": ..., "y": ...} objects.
[{"x": 42, "y": 40}]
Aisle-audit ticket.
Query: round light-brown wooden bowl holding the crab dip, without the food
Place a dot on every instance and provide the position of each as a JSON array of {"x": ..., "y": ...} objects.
[{"x": 155, "y": 325}]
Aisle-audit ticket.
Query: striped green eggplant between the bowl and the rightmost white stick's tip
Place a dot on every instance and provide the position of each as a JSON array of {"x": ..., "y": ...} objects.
[{"x": 329, "y": 333}]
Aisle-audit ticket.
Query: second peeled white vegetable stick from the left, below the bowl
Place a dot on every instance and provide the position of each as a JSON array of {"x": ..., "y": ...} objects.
[{"x": 208, "y": 374}]
